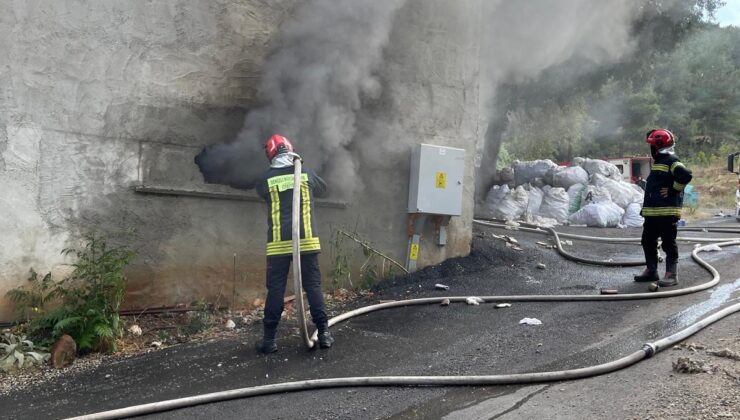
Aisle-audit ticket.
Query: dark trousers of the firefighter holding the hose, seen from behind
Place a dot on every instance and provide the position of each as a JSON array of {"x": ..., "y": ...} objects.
[{"x": 277, "y": 277}]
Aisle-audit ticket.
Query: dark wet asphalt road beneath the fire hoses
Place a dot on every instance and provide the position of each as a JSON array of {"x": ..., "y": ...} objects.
[{"x": 423, "y": 340}]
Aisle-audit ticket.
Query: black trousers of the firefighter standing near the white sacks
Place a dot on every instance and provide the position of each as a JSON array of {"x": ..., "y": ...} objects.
[{"x": 665, "y": 228}]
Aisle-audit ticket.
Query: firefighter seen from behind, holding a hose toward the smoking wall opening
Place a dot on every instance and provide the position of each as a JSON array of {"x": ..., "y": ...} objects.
[{"x": 276, "y": 188}]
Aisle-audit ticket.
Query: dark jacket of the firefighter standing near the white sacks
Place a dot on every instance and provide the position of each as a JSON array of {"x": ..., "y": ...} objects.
[{"x": 667, "y": 172}]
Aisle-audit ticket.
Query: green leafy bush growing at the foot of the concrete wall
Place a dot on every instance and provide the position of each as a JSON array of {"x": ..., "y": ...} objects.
[{"x": 89, "y": 298}]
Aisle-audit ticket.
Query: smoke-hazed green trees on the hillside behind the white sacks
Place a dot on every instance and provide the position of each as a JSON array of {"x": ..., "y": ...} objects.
[{"x": 684, "y": 75}]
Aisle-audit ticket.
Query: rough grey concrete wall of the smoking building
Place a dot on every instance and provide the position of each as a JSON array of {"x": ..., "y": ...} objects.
[{"x": 99, "y": 98}]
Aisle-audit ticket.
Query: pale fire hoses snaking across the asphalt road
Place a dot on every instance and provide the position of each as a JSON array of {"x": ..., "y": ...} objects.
[{"x": 647, "y": 350}]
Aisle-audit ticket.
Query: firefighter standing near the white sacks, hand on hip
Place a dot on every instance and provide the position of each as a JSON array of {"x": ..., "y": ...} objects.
[{"x": 662, "y": 207}]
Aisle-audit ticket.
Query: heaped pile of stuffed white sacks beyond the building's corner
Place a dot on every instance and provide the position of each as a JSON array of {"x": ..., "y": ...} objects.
[{"x": 591, "y": 193}]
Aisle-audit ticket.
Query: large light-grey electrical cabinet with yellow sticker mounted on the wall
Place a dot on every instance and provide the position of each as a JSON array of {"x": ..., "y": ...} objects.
[{"x": 436, "y": 180}]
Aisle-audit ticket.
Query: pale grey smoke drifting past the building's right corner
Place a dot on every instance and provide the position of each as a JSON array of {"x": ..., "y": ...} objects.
[{"x": 524, "y": 38}]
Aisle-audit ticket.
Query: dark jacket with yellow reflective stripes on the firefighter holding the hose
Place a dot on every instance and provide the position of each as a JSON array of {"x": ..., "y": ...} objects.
[{"x": 276, "y": 188}]
